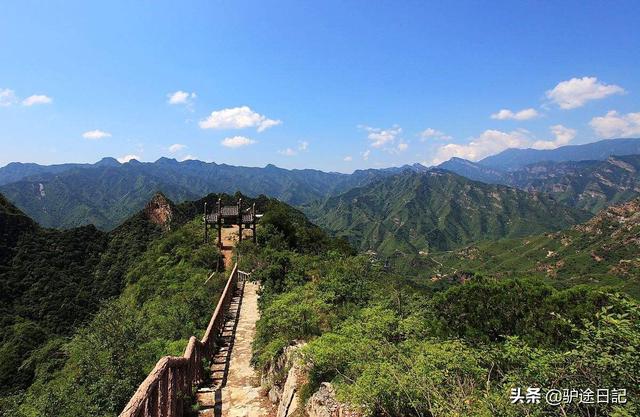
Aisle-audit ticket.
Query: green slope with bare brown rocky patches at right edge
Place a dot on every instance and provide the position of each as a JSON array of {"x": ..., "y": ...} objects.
[{"x": 603, "y": 251}]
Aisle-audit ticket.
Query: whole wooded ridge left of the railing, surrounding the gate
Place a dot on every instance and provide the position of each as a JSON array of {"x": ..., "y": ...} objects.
[{"x": 81, "y": 343}]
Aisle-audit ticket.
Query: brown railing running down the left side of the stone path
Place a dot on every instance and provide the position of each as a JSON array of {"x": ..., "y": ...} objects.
[{"x": 163, "y": 392}]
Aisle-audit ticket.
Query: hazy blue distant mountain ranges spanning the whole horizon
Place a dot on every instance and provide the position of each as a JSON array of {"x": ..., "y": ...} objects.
[{"x": 106, "y": 193}]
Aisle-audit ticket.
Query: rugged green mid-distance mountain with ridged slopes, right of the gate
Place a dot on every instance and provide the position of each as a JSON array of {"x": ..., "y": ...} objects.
[{"x": 437, "y": 210}]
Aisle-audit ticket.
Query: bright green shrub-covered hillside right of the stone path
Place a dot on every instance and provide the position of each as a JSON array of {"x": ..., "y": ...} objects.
[{"x": 390, "y": 345}]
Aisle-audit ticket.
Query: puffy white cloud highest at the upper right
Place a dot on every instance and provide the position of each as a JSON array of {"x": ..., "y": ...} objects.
[{"x": 577, "y": 91}]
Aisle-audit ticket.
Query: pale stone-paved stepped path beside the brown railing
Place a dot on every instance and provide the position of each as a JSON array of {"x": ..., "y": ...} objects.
[{"x": 235, "y": 387}]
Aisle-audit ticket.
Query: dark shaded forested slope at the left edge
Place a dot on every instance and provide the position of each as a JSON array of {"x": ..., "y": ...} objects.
[{"x": 52, "y": 281}]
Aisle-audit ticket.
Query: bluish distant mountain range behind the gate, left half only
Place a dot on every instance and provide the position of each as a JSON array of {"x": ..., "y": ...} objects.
[{"x": 106, "y": 193}]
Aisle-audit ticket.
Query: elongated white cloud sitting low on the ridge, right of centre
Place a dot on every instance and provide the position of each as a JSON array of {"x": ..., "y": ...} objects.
[{"x": 488, "y": 143}]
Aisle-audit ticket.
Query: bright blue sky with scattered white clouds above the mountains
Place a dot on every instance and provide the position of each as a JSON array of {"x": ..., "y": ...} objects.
[{"x": 331, "y": 85}]
